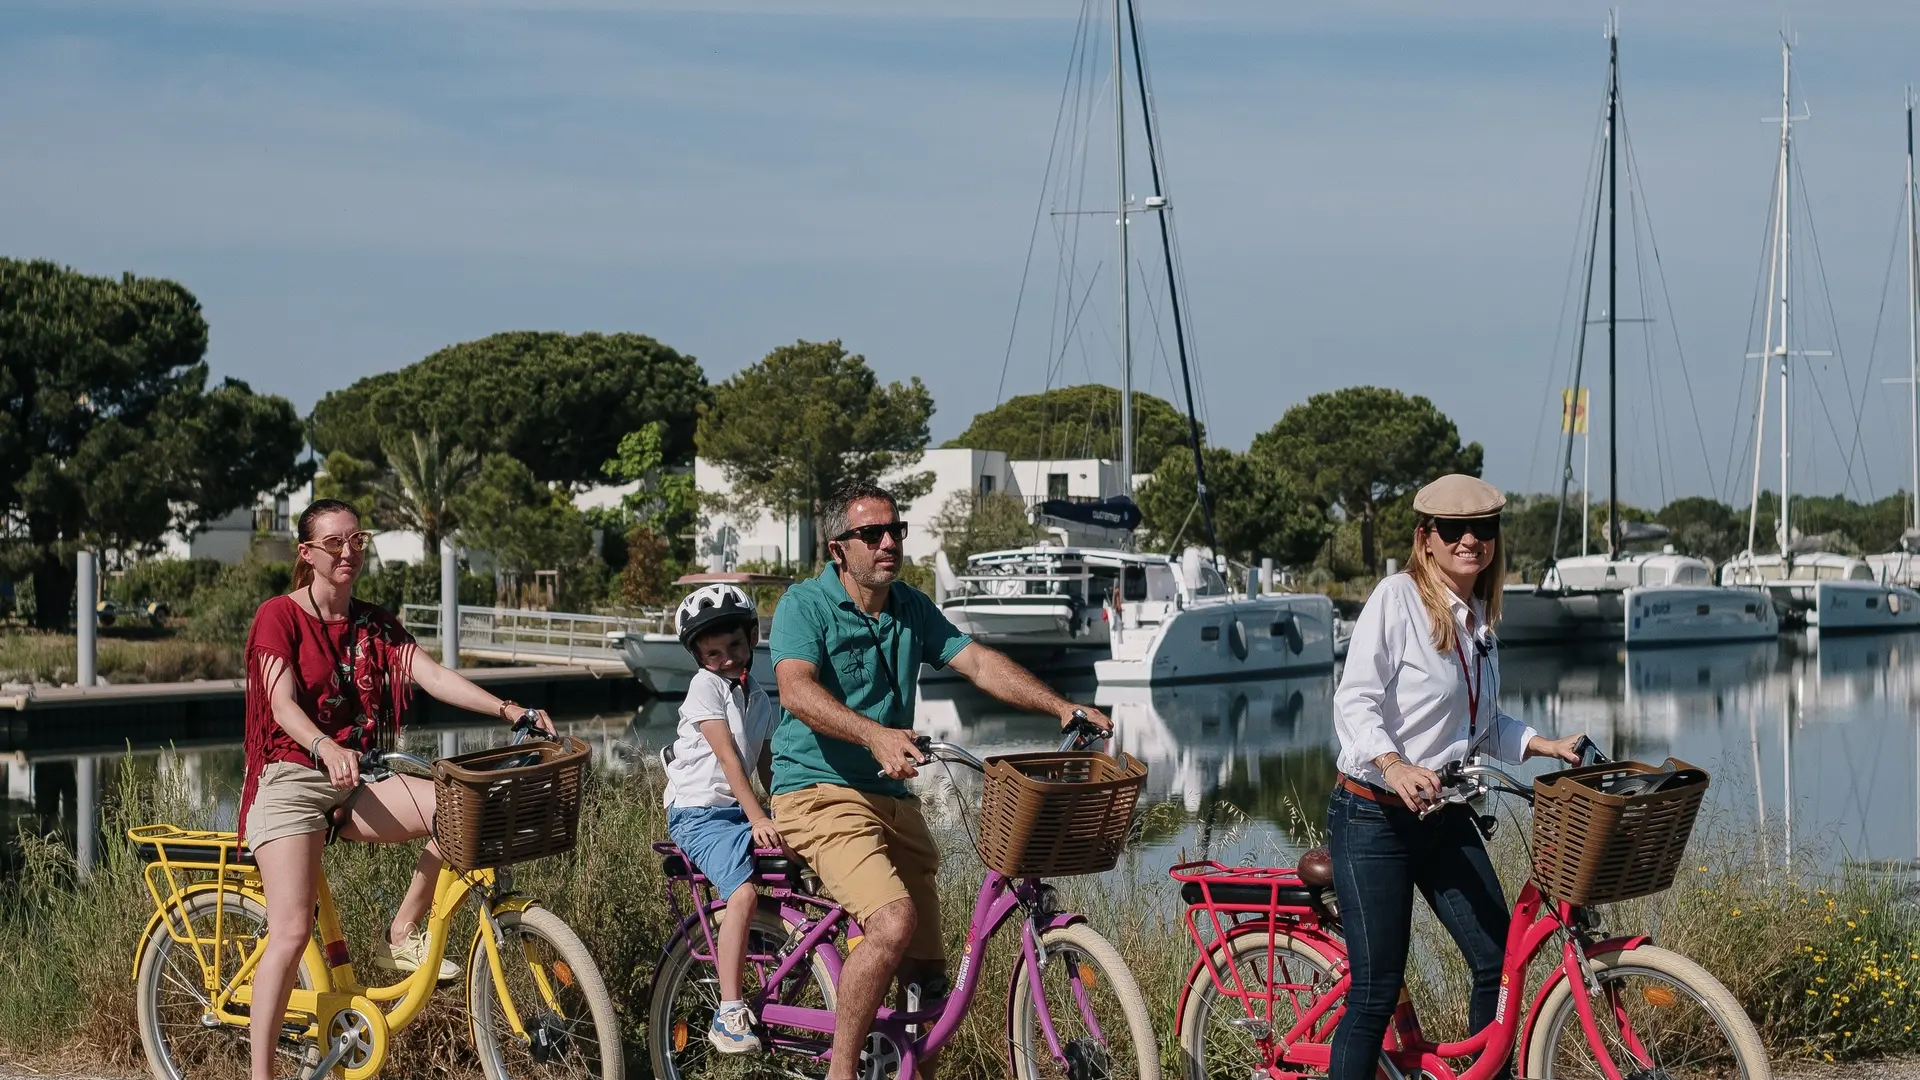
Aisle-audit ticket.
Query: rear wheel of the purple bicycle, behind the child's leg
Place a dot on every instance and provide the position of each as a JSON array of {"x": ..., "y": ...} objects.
[{"x": 688, "y": 993}]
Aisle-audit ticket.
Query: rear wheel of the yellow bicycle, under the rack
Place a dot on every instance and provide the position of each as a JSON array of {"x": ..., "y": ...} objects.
[{"x": 172, "y": 998}]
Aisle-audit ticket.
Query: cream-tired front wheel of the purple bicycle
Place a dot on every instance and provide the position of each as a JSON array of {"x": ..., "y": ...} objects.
[{"x": 1028, "y": 1050}]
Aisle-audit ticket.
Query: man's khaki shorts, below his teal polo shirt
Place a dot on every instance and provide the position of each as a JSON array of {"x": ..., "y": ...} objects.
[{"x": 869, "y": 852}]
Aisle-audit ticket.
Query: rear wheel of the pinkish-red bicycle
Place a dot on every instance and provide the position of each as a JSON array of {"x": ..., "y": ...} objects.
[{"x": 1218, "y": 1039}]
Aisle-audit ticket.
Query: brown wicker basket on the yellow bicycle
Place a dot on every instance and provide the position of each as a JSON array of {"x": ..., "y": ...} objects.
[{"x": 510, "y": 804}]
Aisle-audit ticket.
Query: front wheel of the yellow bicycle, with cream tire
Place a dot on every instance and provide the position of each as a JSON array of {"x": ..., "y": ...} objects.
[{"x": 560, "y": 996}]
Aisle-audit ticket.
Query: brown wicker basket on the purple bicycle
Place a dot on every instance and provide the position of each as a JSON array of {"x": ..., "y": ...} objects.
[{"x": 1051, "y": 816}]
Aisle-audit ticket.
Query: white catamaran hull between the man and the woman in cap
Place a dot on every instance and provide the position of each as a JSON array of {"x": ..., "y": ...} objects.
[{"x": 1226, "y": 639}]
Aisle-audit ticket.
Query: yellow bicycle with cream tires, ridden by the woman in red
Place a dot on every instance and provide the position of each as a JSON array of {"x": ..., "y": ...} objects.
[{"x": 535, "y": 998}]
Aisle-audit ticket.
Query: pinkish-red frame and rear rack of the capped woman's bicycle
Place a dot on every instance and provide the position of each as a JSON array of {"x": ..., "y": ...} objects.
[{"x": 1307, "y": 1044}]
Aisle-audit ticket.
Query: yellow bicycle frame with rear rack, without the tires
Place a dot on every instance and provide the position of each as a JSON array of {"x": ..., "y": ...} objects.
[{"x": 176, "y": 875}]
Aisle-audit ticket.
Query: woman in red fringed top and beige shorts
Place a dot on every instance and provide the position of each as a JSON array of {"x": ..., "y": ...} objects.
[{"x": 327, "y": 679}]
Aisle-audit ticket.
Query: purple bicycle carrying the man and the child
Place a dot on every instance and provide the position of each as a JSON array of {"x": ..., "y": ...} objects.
[{"x": 1074, "y": 1012}]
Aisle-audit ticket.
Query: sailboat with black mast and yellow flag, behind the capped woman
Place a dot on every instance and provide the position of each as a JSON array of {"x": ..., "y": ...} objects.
[{"x": 1625, "y": 597}]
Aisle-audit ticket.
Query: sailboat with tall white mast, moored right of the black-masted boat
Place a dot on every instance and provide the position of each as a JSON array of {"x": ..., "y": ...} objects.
[{"x": 1825, "y": 589}]
